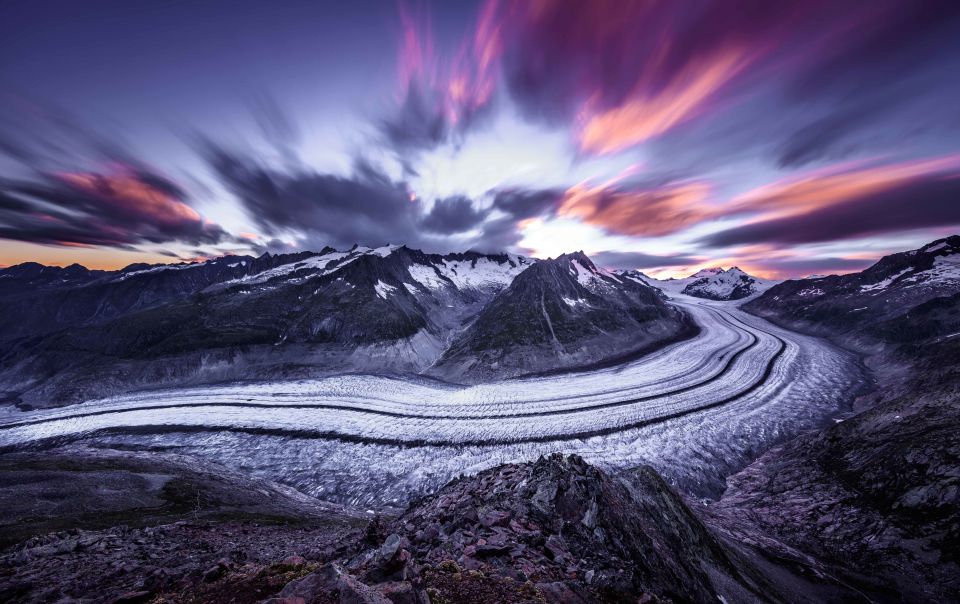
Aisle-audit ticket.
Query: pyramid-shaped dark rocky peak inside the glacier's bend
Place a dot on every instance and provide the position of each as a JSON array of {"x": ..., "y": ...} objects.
[{"x": 562, "y": 312}]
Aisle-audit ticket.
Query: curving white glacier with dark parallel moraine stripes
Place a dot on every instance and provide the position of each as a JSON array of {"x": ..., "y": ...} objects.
[{"x": 696, "y": 411}]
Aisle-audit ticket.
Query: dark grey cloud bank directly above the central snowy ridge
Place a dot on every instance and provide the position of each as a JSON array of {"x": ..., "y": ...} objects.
[{"x": 365, "y": 207}]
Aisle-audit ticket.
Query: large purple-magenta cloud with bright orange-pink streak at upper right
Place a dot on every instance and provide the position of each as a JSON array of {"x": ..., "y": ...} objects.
[{"x": 628, "y": 72}]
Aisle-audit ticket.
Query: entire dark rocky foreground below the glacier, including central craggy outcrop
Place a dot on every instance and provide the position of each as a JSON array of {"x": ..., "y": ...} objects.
[{"x": 554, "y": 530}]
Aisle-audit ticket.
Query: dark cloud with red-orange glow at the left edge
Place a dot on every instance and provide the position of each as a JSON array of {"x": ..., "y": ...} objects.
[{"x": 61, "y": 200}]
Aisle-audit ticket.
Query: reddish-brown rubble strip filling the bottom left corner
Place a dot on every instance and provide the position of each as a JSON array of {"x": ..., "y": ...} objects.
[{"x": 180, "y": 562}]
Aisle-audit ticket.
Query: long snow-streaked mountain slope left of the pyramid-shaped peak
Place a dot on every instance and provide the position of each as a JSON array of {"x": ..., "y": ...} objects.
[{"x": 388, "y": 309}]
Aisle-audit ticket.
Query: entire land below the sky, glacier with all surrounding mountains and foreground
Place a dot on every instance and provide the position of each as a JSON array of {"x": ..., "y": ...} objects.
[{"x": 600, "y": 431}]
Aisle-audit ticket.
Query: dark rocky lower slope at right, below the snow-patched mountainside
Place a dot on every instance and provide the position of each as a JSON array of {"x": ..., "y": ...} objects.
[{"x": 877, "y": 496}]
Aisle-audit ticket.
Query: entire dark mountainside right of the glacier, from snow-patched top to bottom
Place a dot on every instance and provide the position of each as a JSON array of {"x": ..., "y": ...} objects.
[{"x": 877, "y": 494}]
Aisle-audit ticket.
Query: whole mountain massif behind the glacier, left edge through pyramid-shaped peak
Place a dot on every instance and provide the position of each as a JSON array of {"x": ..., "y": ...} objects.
[{"x": 86, "y": 334}]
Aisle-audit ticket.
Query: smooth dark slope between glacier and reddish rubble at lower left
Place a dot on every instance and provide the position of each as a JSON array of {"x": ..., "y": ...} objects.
[{"x": 90, "y": 488}]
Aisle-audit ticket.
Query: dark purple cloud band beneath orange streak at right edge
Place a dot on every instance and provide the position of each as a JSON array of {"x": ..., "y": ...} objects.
[{"x": 931, "y": 202}]
